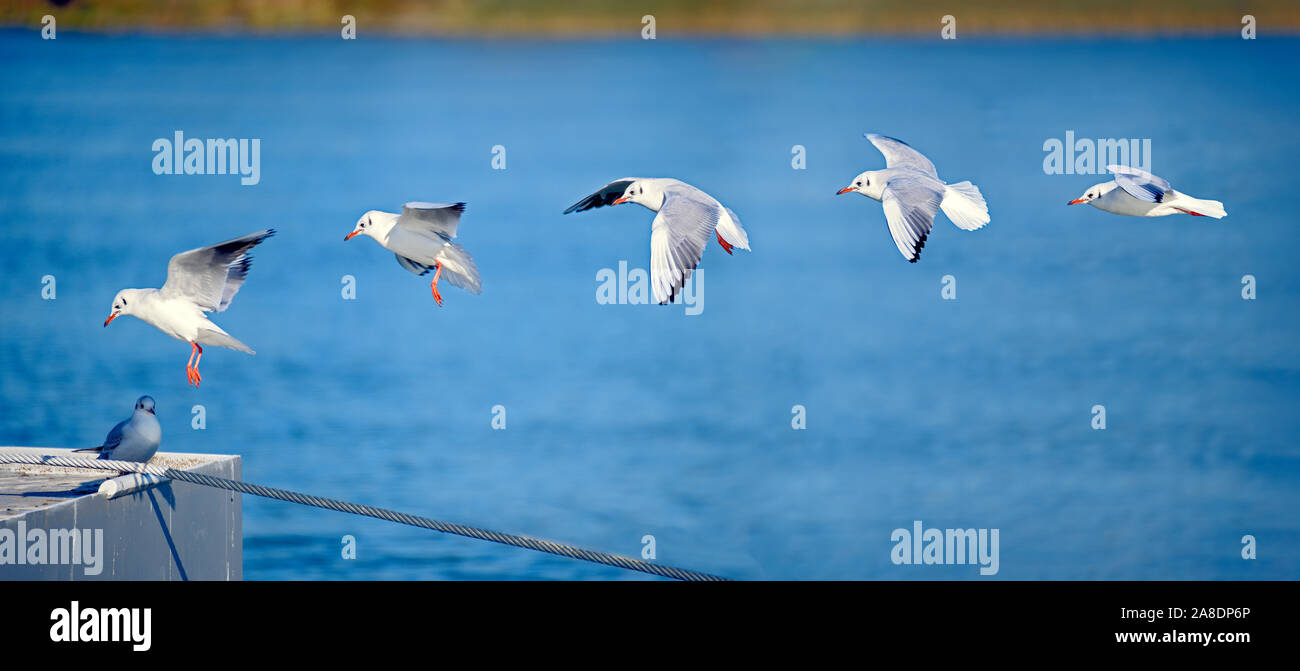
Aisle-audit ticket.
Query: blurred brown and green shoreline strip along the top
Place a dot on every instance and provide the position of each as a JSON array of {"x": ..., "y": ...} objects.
[{"x": 673, "y": 19}]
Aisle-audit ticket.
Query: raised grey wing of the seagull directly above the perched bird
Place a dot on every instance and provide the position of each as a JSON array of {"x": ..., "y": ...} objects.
[{"x": 211, "y": 276}]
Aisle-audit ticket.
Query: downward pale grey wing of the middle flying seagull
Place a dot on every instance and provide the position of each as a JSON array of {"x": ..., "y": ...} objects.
[{"x": 678, "y": 239}]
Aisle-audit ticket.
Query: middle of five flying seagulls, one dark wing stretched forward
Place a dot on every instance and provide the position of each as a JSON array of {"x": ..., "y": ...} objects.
[{"x": 679, "y": 233}]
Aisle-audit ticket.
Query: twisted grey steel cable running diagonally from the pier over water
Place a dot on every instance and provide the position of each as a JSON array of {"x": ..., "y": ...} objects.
[{"x": 370, "y": 512}]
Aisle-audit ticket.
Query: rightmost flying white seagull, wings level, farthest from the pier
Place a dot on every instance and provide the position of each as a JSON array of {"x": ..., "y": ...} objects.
[{"x": 1142, "y": 194}]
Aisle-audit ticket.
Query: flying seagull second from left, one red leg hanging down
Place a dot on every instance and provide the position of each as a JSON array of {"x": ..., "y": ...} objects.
[{"x": 421, "y": 237}]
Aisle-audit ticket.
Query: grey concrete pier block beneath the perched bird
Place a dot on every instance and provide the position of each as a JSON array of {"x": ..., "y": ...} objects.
[{"x": 79, "y": 525}]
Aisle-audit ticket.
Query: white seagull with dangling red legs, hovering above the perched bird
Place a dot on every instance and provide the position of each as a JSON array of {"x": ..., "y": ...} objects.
[{"x": 198, "y": 282}]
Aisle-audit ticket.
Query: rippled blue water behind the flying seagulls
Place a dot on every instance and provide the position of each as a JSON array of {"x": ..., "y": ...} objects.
[{"x": 632, "y": 421}]
